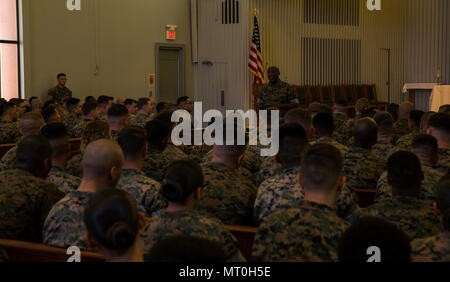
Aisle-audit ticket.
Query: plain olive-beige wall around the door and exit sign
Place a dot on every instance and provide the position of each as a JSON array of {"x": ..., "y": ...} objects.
[{"x": 106, "y": 48}]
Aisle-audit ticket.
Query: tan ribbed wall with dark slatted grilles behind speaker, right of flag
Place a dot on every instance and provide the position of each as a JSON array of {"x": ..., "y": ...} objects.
[{"x": 283, "y": 29}]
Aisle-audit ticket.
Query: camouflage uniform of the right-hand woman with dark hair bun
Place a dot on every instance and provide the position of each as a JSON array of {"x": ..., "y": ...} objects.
[{"x": 187, "y": 223}]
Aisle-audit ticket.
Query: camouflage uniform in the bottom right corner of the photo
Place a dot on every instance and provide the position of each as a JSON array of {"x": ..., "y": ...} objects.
[{"x": 432, "y": 249}]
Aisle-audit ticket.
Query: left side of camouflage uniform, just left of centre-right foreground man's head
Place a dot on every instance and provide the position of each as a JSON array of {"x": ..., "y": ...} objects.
[{"x": 280, "y": 192}]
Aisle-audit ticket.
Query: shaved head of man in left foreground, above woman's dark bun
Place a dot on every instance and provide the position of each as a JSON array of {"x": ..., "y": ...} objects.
[{"x": 103, "y": 161}]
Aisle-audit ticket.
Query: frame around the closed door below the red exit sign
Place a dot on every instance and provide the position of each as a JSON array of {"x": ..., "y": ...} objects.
[{"x": 181, "y": 66}]
